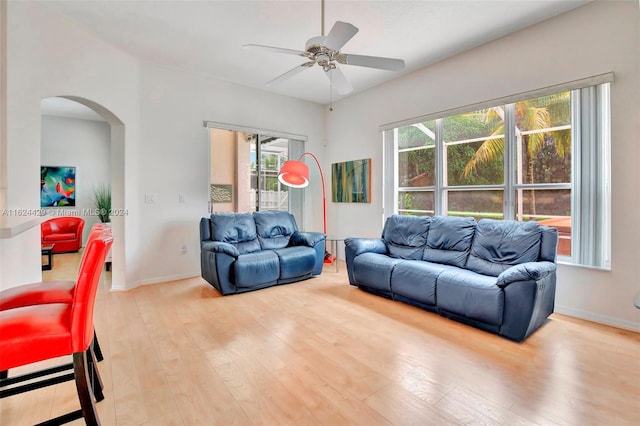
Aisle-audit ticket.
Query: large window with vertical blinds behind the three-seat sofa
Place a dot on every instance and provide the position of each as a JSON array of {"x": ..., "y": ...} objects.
[{"x": 542, "y": 157}]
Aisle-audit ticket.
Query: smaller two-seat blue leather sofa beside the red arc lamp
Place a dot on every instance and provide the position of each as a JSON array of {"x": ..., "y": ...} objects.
[{"x": 246, "y": 251}]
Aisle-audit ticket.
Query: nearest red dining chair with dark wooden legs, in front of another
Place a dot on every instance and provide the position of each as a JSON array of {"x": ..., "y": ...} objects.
[{"x": 35, "y": 333}]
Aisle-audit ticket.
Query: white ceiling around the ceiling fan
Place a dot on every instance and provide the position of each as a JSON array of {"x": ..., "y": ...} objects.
[{"x": 206, "y": 37}]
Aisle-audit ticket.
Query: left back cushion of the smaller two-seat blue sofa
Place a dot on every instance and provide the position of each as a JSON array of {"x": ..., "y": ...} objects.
[{"x": 237, "y": 229}]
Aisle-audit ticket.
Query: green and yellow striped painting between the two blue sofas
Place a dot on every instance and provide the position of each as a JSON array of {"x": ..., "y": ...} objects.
[{"x": 351, "y": 181}]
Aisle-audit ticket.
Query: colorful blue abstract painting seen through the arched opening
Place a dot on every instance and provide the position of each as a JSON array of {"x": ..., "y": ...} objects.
[{"x": 57, "y": 186}]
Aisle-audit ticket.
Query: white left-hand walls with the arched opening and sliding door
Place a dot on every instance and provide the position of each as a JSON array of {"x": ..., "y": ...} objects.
[{"x": 165, "y": 144}]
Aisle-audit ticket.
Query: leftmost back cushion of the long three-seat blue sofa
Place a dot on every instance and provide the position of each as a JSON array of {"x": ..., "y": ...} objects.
[{"x": 406, "y": 236}]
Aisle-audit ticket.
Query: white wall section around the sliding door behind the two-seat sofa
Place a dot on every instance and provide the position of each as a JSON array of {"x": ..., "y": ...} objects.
[{"x": 176, "y": 148}]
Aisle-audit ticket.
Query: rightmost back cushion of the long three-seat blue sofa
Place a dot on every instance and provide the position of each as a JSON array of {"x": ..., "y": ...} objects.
[{"x": 500, "y": 244}]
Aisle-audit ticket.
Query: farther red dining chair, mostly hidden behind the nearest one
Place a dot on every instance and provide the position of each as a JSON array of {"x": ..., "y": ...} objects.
[{"x": 44, "y": 292}]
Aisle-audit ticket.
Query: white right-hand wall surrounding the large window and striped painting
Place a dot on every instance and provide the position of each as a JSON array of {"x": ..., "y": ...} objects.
[{"x": 596, "y": 38}]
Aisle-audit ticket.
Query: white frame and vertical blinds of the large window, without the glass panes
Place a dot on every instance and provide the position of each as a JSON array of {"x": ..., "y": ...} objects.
[{"x": 590, "y": 124}]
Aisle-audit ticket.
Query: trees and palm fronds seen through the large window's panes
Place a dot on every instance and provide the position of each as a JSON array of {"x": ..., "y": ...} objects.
[{"x": 474, "y": 155}]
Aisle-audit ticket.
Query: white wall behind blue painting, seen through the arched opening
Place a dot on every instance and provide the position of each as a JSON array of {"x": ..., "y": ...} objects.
[{"x": 85, "y": 145}]
